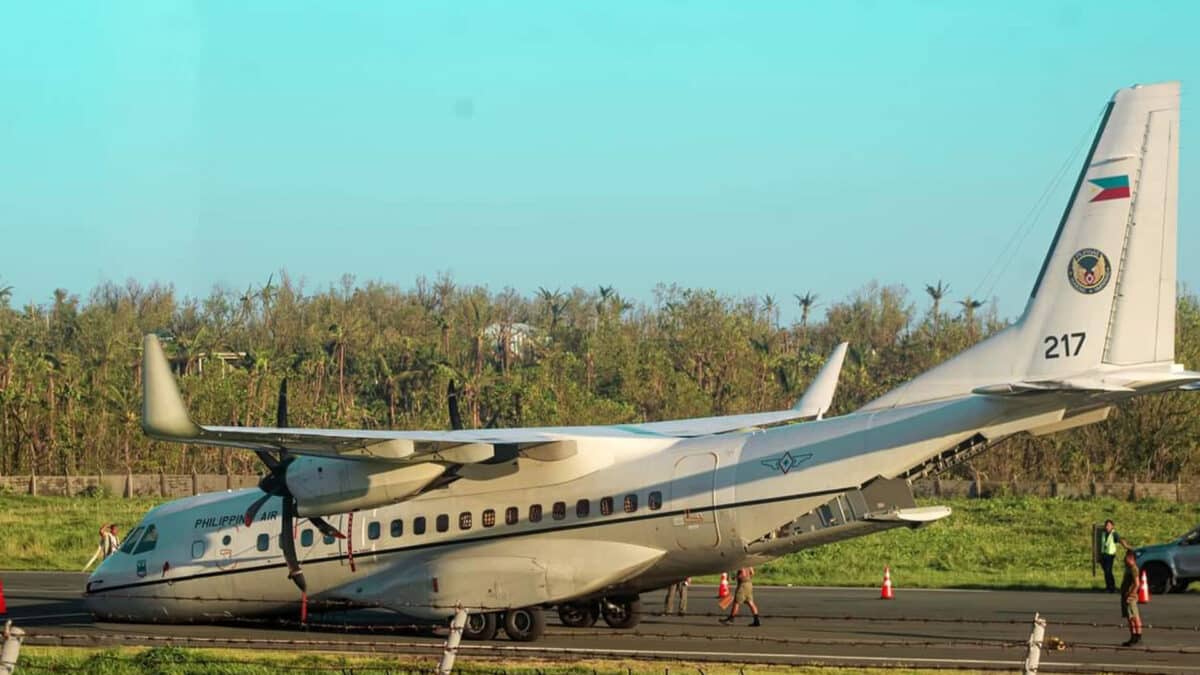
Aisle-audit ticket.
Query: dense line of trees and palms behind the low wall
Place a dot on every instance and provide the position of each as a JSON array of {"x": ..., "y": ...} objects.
[{"x": 380, "y": 356}]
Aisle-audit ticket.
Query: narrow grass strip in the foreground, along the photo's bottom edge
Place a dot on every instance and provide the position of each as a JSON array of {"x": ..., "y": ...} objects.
[{"x": 176, "y": 661}]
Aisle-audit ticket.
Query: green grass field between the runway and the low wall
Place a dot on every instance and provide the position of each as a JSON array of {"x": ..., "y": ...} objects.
[{"x": 1003, "y": 542}]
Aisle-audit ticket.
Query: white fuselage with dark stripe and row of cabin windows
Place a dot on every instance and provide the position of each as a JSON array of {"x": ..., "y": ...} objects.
[{"x": 627, "y": 516}]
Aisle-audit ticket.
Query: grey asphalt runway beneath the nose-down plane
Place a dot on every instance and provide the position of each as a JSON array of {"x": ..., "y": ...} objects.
[{"x": 847, "y": 628}]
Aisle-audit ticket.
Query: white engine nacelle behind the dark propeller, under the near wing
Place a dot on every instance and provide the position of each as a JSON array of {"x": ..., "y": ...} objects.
[{"x": 327, "y": 487}]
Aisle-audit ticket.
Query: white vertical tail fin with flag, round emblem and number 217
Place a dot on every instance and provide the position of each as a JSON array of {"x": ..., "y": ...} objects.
[{"x": 1106, "y": 294}]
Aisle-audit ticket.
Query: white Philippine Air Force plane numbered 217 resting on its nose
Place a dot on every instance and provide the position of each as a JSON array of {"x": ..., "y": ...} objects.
[{"x": 489, "y": 527}]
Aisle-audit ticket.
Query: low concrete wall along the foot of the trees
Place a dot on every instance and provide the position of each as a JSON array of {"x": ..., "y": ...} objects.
[{"x": 173, "y": 486}]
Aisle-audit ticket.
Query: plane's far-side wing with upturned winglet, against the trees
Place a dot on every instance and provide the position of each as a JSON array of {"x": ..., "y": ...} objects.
[{"x": 813, "y": 405}]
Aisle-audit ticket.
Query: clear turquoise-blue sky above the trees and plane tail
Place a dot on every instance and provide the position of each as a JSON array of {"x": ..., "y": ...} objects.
[{"x": 752, "y": 148}]
